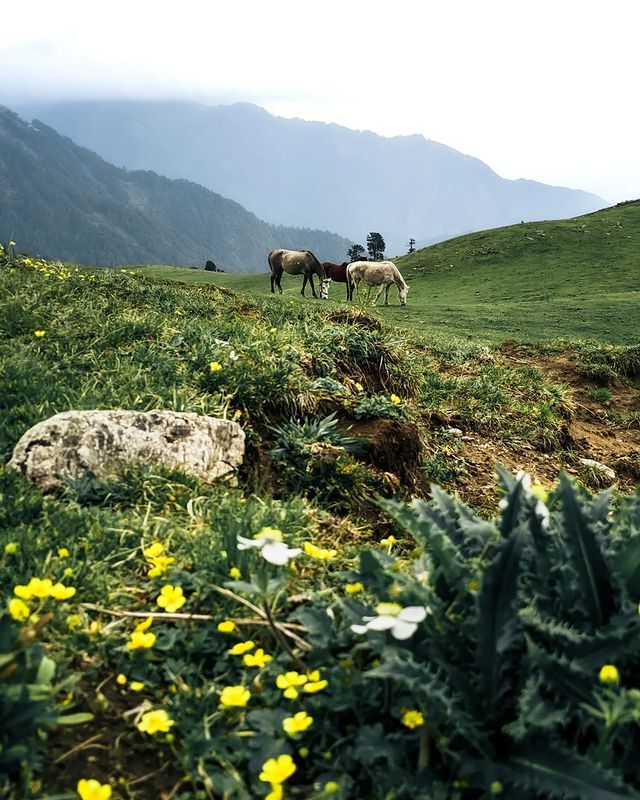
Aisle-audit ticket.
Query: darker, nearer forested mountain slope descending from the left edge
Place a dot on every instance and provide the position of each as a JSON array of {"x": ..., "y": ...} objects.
[{"x": 62, "y": 201}]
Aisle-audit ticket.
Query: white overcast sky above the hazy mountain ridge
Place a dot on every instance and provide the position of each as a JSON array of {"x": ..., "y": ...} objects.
[{"x": 545, "y": 90}]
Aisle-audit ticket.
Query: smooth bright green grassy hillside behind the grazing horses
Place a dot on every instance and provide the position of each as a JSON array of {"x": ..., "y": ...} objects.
[{"x": 535, "y": 282}]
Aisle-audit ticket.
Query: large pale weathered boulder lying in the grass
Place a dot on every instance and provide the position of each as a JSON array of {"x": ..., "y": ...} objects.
[{"x": 72, "y": 443}]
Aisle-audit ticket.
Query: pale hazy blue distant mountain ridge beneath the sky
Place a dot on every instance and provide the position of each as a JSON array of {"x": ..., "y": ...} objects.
[{"x": 314, "y": 174}]
